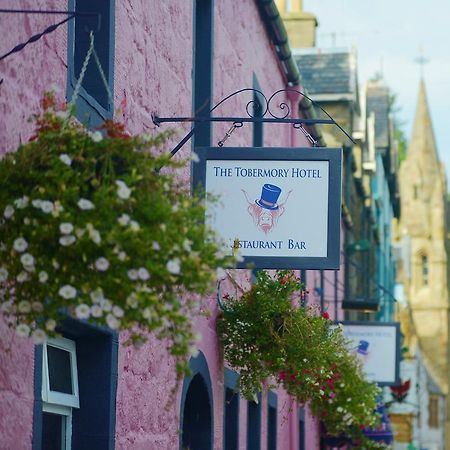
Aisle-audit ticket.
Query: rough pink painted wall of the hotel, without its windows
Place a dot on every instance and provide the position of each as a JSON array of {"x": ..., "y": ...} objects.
[{"x": 153, "y": 67}]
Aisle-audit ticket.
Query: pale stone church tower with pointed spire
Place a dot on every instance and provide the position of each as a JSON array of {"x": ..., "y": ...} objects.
[{"x": 423, "y": 193}]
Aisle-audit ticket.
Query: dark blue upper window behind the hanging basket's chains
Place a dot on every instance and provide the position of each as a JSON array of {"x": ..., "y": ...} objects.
[{"x": 93, "y": 103}]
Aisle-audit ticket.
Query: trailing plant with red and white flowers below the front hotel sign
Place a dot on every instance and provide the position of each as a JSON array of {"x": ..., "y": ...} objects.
[{"x": 268, "y": 335}]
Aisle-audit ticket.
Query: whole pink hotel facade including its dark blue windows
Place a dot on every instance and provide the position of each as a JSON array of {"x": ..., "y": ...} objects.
[{"x": 166, "y": 58}]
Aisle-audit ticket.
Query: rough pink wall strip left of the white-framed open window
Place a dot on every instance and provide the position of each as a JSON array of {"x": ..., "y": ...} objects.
[{"x": 16, "y": 389}]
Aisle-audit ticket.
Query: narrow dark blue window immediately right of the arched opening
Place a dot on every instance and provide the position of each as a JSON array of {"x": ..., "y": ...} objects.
[{"x": 231, "y": 411}]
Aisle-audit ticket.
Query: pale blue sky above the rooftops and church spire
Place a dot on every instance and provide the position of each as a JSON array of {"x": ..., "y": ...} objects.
[{"x": 389, "y": 36}]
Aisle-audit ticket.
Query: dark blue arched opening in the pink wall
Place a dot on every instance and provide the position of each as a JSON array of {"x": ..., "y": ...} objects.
[{"x": 196, "y": 408}]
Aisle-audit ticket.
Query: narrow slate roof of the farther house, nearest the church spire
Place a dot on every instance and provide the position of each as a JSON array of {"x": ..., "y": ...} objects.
[{"x": 378, "y": 103}]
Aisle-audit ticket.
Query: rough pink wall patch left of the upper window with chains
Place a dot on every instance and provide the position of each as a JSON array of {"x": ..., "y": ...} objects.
[{"x": 30, "y": 72}]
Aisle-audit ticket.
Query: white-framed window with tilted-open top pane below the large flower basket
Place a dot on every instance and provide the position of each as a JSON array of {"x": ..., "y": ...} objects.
[{"x": 59, "y": 393}]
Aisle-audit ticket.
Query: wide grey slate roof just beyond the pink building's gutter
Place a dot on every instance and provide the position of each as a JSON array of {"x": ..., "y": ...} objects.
[{"x": 328, "y": 73}]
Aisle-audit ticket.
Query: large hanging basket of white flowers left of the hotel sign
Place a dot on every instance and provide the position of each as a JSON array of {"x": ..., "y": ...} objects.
[{"x": 92, "y": 228}]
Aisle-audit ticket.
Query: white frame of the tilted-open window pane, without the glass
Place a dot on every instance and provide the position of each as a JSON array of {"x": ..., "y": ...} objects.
[{"x": 54, "y": 397}]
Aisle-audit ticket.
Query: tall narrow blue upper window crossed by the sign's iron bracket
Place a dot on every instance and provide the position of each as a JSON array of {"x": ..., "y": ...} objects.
[{"x": 203, "y": 68}]
